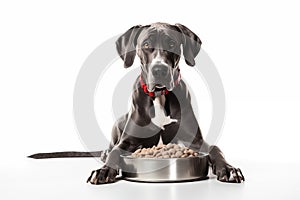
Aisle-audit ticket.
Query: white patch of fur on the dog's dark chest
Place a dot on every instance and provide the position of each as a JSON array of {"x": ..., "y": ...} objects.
[{"x": 160, "y": 118}]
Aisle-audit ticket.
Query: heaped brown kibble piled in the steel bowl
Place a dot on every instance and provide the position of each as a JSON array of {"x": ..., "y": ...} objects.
[{"x": 165, "y": 151}]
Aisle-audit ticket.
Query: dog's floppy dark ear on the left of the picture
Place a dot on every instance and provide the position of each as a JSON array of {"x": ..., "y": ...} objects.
[{"x": 126, "y": 44}]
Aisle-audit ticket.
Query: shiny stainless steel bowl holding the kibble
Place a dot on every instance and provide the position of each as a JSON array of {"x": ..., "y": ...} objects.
[{"x": 164, "y": 169}]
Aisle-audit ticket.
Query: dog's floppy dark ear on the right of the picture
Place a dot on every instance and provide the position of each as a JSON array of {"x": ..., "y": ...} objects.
[{"x": 191, "y": 44}]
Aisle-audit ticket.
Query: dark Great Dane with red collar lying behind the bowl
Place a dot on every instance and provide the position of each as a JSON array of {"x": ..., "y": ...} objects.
[{"x": 161, "y": 110}]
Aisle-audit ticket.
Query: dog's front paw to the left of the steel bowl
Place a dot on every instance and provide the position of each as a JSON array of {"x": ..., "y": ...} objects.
[{"x": 104, "y": 175}]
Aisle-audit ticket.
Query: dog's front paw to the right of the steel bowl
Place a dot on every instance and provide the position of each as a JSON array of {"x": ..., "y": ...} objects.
[{"x": 227, "y": 173}]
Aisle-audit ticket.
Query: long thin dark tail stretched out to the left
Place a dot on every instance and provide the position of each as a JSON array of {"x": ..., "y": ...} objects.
[{"x": 71, "y": 154}]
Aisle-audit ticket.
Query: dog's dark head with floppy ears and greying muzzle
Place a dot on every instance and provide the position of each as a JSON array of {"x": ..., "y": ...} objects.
[{"x": 159, "y": 48}]
